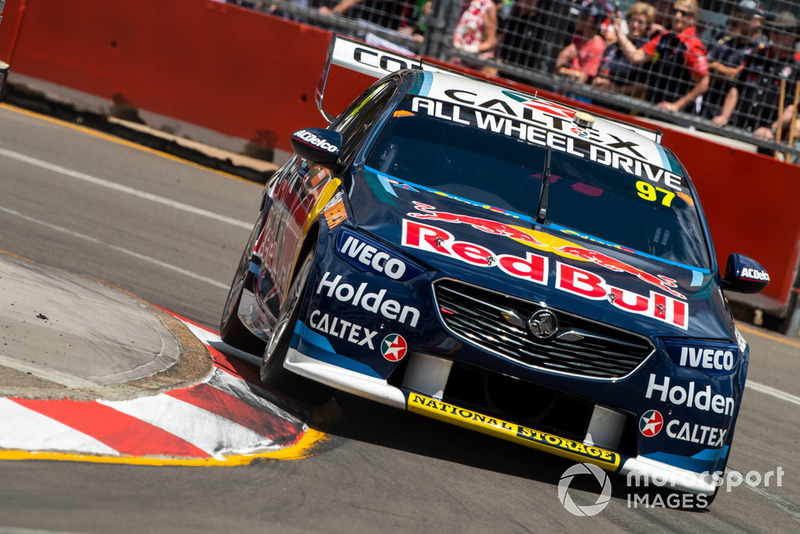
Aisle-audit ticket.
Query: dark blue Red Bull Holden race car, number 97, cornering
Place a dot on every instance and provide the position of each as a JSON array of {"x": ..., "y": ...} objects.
[{"x": 502, "y": 262}]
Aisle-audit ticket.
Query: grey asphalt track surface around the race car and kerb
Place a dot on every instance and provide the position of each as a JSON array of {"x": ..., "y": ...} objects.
[{"x": 170, "y": 233}]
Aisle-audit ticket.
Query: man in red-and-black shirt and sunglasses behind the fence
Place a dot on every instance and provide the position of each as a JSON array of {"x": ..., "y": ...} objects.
[{"x": 678, "y": 65}]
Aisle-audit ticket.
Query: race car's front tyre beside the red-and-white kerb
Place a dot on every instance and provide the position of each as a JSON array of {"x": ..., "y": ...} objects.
[{"x": 273, "y": 374}]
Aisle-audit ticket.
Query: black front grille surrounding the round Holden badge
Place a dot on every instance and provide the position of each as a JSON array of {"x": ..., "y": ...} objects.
[{"x": 497, "y": 323}]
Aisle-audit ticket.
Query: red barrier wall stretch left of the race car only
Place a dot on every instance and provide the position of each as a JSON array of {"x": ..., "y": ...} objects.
[{"x": 232, "y": 70}]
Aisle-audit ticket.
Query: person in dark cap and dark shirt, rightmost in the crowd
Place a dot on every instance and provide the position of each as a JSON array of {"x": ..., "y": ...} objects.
[{"x": 754, "y": 102}]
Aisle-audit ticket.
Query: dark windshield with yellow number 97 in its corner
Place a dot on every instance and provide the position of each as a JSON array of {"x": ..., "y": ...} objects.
[{"x": 583, "y": 196}]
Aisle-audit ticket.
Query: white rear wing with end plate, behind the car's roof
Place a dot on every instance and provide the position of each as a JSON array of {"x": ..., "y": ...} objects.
[{"x": 378, "y": 62}]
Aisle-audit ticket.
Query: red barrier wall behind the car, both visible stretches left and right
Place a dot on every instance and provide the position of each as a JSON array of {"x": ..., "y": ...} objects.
[{"x": 252, "y": 76}]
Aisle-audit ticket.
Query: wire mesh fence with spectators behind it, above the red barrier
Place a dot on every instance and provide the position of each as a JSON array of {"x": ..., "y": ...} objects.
[{"x": 726, "y": 67}]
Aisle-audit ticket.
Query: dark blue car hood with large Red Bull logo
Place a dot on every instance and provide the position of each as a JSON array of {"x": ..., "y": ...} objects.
[{"x": 491, "y": 248}]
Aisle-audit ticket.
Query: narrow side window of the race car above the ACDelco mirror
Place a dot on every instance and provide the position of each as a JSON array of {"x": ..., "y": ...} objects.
[{"x": 357, "y": 120}]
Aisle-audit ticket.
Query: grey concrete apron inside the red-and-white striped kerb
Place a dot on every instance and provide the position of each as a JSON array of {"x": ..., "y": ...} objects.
[{"x": 69, "y": 336}]
